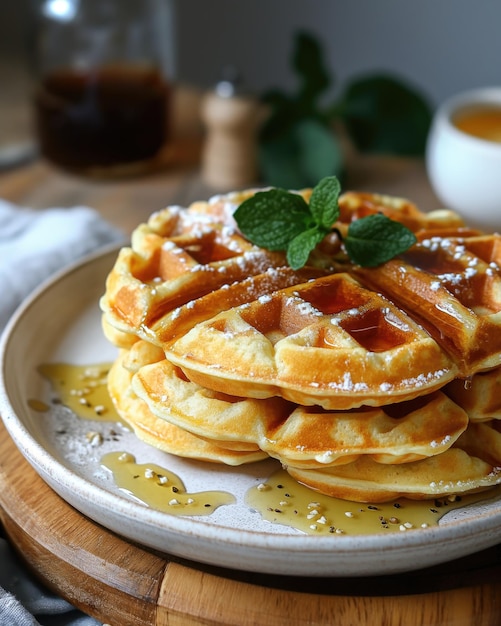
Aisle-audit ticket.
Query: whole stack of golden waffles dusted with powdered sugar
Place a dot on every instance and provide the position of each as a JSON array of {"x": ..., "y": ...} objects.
[{"x": 364, "y": 383}]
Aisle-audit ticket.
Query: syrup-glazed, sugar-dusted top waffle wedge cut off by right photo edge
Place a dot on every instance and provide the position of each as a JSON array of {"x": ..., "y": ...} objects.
[{"x": 453, "y": 292}]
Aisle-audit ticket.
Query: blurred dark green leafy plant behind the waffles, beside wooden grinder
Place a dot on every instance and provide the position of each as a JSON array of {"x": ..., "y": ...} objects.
[{"x": 381, "y": 113}]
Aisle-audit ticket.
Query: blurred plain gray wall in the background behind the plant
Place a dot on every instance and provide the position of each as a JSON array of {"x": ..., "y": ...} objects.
[{"x": 440, "y": 46}]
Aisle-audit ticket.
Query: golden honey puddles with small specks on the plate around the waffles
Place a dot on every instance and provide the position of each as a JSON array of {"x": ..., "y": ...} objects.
[{"x": 279, "y": 499}]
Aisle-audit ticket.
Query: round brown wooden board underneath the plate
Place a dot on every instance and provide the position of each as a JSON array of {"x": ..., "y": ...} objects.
[{"x": 123, "y": 584}]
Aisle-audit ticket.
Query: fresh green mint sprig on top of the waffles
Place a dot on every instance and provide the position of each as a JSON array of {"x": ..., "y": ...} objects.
[{"x": 278, "y": 219}]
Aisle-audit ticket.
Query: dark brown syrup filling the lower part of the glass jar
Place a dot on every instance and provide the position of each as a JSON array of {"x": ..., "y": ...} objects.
[{"x": 102, "y": 118}]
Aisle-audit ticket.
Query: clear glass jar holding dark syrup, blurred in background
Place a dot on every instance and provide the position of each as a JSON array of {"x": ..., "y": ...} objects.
[{"x": 103, "y": 67}]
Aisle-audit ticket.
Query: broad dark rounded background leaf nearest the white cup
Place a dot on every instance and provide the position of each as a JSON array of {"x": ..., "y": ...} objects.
[{"x": 384, "y": 114}]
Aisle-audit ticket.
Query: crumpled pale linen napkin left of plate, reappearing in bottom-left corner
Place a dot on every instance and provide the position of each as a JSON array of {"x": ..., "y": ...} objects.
[{"x": 34, "y": 245}]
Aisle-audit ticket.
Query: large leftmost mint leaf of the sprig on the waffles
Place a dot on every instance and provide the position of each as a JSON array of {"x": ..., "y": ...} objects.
[{"x": 271, "y": 219}]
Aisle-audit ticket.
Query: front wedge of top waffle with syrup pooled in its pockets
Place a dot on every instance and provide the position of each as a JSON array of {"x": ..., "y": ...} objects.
[{"x": 329, "y": 342}]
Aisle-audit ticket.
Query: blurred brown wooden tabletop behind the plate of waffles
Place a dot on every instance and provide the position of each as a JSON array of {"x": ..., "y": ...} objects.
[{"x": 125, "y": 202}]
